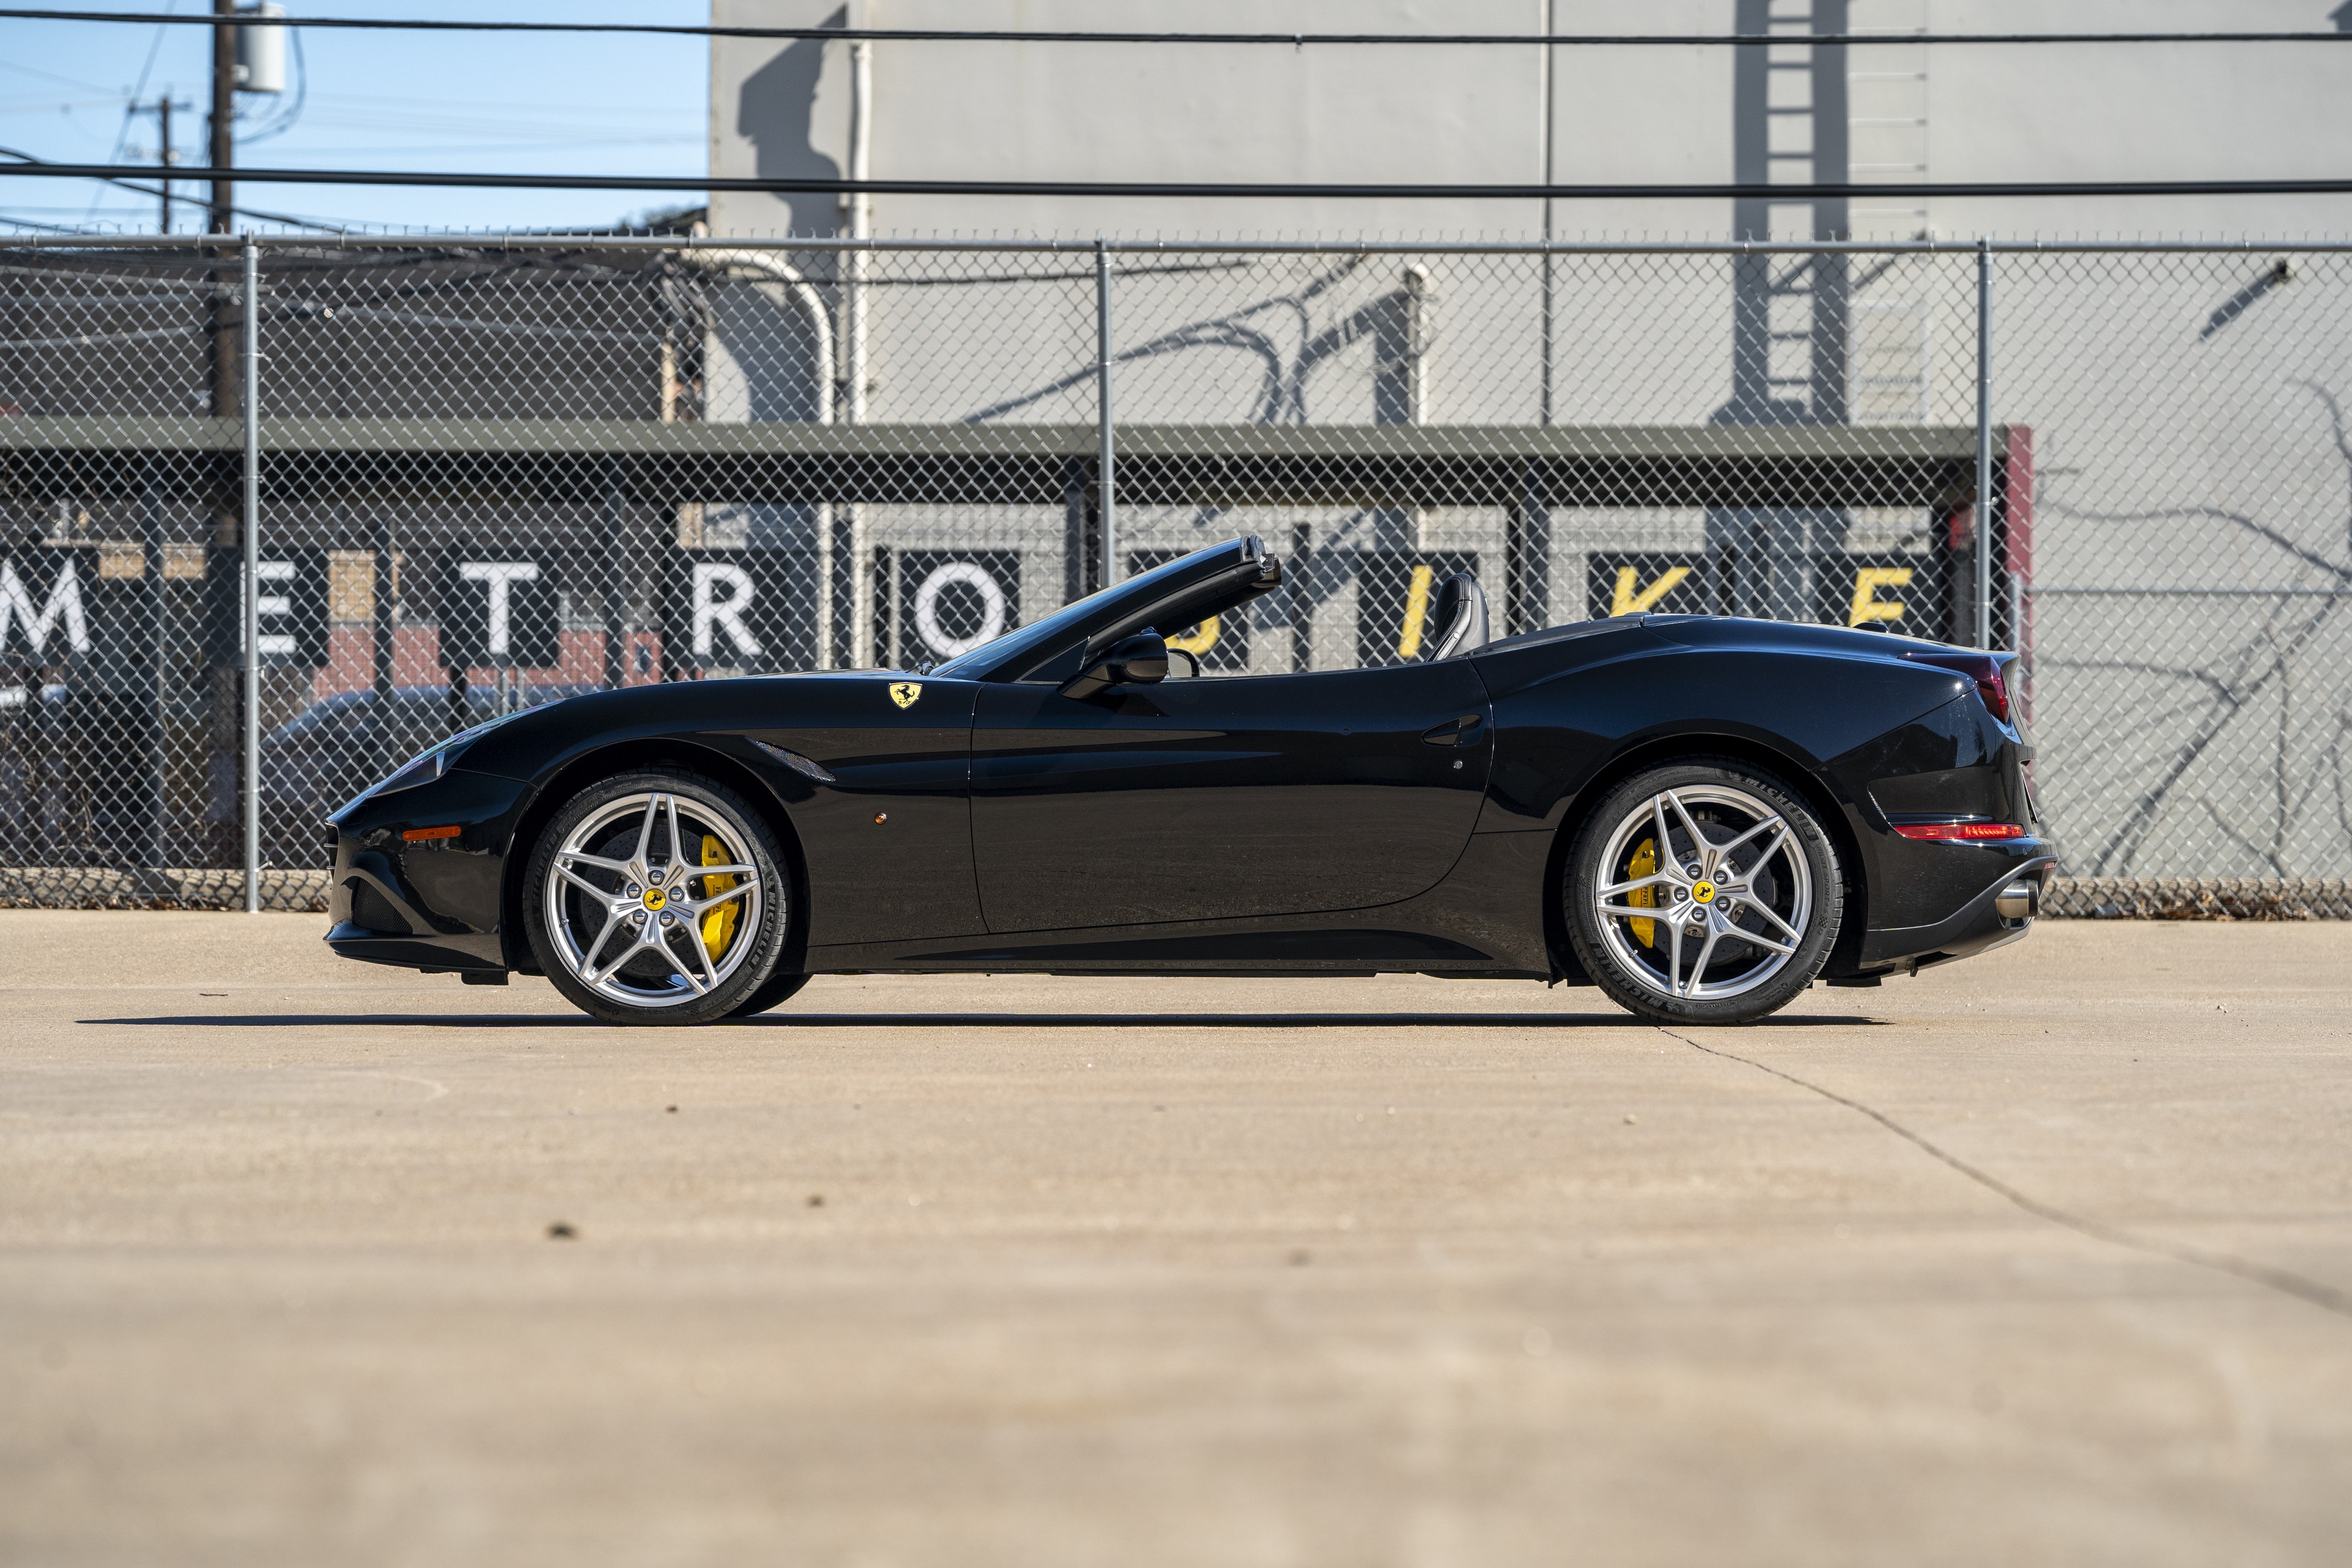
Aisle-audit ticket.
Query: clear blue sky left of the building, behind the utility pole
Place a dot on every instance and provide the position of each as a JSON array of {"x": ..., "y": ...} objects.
[{"x": 540, "y": 105}]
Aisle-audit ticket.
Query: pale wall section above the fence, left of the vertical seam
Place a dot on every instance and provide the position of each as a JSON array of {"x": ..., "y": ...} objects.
[{"x": 1151, "y": 114}]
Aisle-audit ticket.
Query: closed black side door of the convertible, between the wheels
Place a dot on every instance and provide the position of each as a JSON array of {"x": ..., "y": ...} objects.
[{"x": 1224, "y": 798}]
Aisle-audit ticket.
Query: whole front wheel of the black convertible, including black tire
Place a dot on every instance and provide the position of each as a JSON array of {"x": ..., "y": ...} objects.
[{"x": 620, "y": 944}]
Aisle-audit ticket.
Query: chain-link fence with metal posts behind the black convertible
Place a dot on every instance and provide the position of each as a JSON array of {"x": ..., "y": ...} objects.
[{"x": 497, "y": 474}]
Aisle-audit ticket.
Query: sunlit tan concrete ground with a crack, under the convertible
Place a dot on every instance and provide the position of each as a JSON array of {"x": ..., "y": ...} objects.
[{"x": 2045, "y": 1259}]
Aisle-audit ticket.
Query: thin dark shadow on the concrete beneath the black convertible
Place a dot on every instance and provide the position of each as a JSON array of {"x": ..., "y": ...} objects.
[{"x": 963, "y": 1021}]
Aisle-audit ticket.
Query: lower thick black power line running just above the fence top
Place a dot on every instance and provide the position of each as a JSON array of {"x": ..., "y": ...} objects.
[{"x": 1196, "y": 189}]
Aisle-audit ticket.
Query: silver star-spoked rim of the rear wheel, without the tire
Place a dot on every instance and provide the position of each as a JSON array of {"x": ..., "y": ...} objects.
[{"x": 1704, "y": 894}]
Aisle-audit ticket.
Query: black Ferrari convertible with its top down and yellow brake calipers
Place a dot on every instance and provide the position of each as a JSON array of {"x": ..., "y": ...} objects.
[{"x": 1697, "y": 815}]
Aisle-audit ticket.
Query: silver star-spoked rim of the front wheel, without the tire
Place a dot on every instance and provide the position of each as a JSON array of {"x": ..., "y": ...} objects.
[{"x": 655, "y": 899}]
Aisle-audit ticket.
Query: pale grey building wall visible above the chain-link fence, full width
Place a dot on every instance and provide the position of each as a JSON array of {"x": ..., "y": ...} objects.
[{"x": 1464, "y": 114}]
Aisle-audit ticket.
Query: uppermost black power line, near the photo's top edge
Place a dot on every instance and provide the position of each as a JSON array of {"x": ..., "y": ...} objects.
[{"x": 1297, "y": 41}]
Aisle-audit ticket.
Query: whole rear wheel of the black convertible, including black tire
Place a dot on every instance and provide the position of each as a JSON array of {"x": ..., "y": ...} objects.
[{"x": 1739, "y": 911}]
